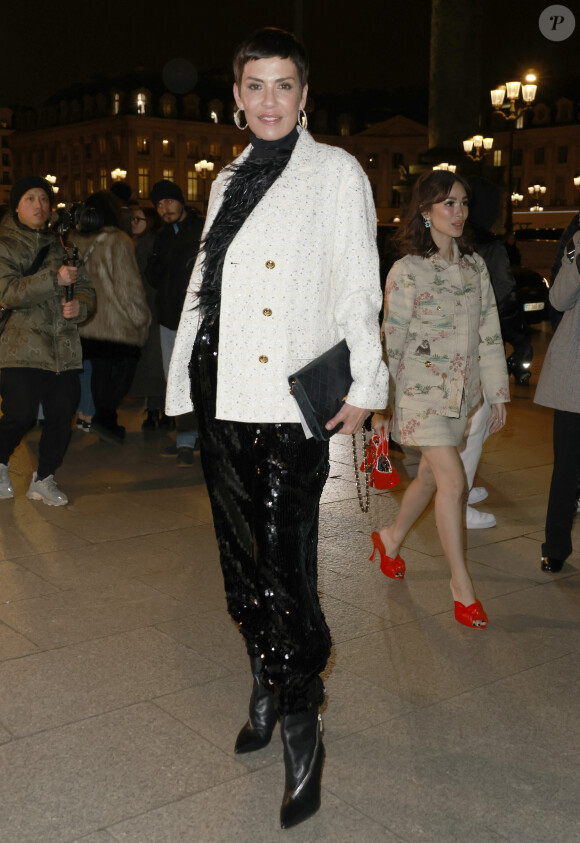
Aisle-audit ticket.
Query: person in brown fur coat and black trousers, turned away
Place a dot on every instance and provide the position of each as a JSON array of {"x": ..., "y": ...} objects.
[{"x": 112, "y": 338}]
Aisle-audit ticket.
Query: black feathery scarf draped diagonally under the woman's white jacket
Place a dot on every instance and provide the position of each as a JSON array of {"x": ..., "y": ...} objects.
[{"x": 249, "y": 183}]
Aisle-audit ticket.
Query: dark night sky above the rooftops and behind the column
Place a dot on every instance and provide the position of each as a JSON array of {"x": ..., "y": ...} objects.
[{"x": 367, "y": 44}]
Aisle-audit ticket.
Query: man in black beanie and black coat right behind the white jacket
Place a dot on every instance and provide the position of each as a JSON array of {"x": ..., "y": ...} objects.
[{"x": 168, "y": 270}]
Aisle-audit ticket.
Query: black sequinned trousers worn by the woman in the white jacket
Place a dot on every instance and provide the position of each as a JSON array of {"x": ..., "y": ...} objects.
[{"x": 265, "y": 483}]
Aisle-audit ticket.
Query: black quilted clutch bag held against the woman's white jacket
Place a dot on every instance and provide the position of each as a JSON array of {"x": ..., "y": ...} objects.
[{"x": 321, "y": 387}]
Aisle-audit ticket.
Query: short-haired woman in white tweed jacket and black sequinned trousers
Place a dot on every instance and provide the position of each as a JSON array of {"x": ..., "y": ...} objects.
[{"x": 288, "y": 267}]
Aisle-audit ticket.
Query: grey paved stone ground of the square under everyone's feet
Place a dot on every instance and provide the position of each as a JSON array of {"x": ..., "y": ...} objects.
[{"x": 123, "y": 683}]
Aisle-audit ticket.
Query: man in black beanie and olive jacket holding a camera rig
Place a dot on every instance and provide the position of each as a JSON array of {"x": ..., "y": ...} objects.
[{"x": 40, "y": 350}]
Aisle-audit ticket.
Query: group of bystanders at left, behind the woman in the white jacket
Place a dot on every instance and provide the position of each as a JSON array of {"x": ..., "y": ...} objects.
[{"x": 128, "y": 267}]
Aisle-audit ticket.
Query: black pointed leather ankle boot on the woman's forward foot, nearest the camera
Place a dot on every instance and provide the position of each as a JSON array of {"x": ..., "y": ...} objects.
[{"x": 303, "y": 760}]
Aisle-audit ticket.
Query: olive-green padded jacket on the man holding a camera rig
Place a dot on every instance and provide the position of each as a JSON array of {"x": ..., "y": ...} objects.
[{"x": 37, "y": 335}]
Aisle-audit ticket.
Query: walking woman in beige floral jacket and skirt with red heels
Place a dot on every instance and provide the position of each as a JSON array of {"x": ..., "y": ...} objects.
[{"x": 443, "y": 340}]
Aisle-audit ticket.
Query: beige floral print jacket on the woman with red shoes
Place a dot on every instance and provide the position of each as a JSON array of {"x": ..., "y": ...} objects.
[{"x": 442, "y": 334}]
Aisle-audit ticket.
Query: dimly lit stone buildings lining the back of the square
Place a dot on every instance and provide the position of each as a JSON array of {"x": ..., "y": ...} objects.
[{"x": 136, "y": 127}]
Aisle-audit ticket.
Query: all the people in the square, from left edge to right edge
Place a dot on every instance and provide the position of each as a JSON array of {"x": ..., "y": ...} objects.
[{"x": 206, "y": 319}]
